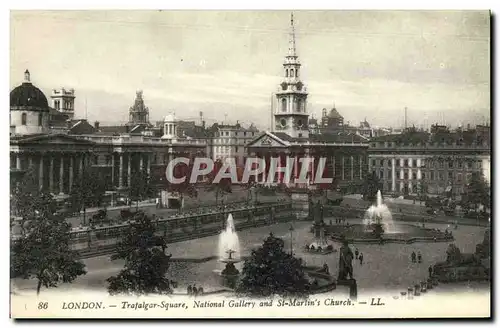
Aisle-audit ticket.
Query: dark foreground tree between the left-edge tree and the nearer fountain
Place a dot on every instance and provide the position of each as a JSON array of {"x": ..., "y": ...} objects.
[{"x": 146, "y": 264}]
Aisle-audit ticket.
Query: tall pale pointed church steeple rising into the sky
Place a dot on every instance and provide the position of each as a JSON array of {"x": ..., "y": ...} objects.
[{"x": 291, "y": 115}]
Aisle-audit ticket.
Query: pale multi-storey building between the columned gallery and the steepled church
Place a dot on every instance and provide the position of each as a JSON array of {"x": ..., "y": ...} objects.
[{"x": 229, "y": 141}]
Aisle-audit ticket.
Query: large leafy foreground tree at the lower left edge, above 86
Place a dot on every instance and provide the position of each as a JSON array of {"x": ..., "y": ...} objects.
[{"x": 42, "y": 250}]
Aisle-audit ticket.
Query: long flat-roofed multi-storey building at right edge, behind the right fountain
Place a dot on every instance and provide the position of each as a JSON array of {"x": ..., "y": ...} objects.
[{"x": 437, "y": 162}]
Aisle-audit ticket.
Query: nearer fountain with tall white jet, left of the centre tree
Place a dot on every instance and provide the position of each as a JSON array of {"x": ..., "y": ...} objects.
[{"x": 229, "y": 253}]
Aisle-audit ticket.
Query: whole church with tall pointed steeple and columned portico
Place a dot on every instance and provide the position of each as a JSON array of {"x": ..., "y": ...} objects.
[{"x": 346, "y": 153}]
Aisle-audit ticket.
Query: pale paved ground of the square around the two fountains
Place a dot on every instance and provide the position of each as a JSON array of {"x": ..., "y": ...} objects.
[{"x": 385, "y": 267}]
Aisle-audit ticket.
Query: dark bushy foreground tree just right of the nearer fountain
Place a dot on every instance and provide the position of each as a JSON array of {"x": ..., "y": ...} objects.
[{"x": 272, "y": 271}]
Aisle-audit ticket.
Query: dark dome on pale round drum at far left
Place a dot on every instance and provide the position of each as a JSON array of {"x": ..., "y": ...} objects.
[{"x": 29, "y": 109}]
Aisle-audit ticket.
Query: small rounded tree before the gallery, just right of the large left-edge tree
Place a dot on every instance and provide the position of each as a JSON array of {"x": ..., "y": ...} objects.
[{"x": 87, "y": 191}]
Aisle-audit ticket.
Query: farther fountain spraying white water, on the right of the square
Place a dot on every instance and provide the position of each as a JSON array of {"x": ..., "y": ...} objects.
[{"x": 378, "y": 218}]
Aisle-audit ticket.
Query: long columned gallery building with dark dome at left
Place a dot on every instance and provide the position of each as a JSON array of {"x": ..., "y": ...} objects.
[{"x": 59, "y": 156}]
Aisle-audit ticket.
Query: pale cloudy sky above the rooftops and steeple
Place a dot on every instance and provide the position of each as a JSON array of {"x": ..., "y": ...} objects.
[{"x": 227, "y": 64}]
